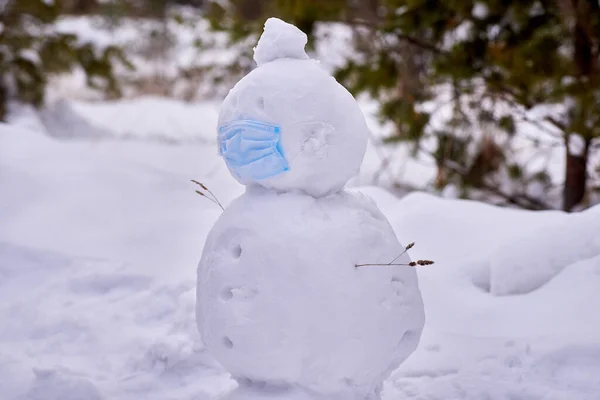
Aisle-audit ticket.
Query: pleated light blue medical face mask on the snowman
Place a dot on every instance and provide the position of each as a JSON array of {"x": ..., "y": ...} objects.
[{"x": 252, "y": 149}]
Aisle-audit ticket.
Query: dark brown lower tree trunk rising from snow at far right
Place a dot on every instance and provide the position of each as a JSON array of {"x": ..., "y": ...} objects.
[{"x": 575, "y": 177}]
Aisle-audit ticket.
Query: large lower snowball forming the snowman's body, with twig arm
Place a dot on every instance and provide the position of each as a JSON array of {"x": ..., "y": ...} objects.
[{"x": 279, "y": 299}]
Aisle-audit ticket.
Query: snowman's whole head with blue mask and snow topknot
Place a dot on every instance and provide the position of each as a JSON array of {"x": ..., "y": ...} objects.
[{"x": 288, "y": 125}]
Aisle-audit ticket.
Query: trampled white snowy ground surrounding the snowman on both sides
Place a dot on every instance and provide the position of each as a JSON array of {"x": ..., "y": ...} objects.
[{"x": 99, "y": 241}]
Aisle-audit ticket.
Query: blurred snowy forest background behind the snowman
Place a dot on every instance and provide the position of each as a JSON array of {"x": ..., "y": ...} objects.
[{"x": 490, "y": 90}]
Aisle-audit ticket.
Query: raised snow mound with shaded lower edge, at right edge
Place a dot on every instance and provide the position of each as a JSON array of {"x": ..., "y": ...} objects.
[{"x": 532, "y": 260}]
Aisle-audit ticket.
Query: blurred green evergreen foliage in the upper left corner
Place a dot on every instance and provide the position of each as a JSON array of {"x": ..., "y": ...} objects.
[{"x": 32, "y": 51}]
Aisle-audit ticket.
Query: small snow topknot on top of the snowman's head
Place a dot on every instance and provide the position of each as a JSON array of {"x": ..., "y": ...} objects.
[{"x": 280, "y": 40}]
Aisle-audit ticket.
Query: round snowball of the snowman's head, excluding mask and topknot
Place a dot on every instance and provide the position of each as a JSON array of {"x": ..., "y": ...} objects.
[{"x": 323, "y": 131}]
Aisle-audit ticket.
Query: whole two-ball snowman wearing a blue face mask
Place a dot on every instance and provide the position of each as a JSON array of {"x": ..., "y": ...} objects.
[{"x": 280, "y": 301}]
